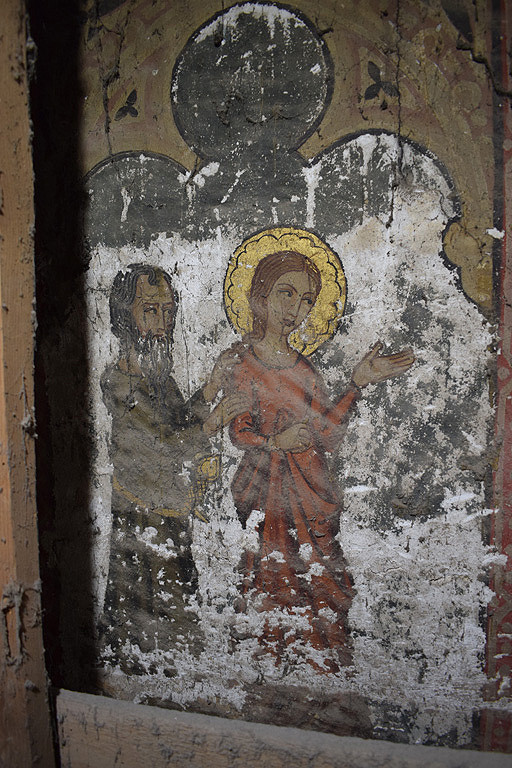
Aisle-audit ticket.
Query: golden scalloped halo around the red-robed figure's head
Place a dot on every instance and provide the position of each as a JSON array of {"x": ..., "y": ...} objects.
[{"x": 322, "y": 321}]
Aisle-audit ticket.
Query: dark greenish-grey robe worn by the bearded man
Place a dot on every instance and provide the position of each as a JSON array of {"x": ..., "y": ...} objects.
[{"x": 157, "y": 438}]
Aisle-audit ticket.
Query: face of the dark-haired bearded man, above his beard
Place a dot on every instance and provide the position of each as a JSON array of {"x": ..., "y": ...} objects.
[{"x": 153, "y": 309}]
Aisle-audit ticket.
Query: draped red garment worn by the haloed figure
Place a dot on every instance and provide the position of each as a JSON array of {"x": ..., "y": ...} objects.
[{"x": 299, "y": 568}]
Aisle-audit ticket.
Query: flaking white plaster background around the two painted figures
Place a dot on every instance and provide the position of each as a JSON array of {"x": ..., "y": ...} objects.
[{"x": 419, "y": 574}]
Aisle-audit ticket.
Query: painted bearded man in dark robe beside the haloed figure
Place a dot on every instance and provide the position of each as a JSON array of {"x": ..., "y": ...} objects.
[{"x": 162, "y": 466}]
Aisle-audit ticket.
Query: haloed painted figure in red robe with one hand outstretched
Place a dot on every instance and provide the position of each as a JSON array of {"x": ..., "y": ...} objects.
[{"x": 282, "y": 485}]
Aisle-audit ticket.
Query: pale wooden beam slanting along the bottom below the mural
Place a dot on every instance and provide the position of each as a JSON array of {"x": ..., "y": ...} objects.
[{"x": 96, "y": 732}]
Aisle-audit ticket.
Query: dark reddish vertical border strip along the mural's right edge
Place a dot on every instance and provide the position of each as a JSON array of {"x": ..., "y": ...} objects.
[{"x": 496, "y": 725}]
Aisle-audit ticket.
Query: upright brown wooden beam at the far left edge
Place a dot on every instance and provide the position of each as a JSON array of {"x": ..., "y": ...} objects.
[{"x": 25, "y": 732}]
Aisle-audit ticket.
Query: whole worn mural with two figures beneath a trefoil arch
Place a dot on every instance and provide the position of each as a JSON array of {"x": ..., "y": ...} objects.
[{"x": 290, "y": 338}]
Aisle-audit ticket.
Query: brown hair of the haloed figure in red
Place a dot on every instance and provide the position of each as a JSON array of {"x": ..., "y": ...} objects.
[{"x": 269, "y": 269}]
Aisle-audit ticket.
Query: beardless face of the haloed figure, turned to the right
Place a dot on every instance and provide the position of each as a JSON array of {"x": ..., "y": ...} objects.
[{"x": 289, "y": 301}]
